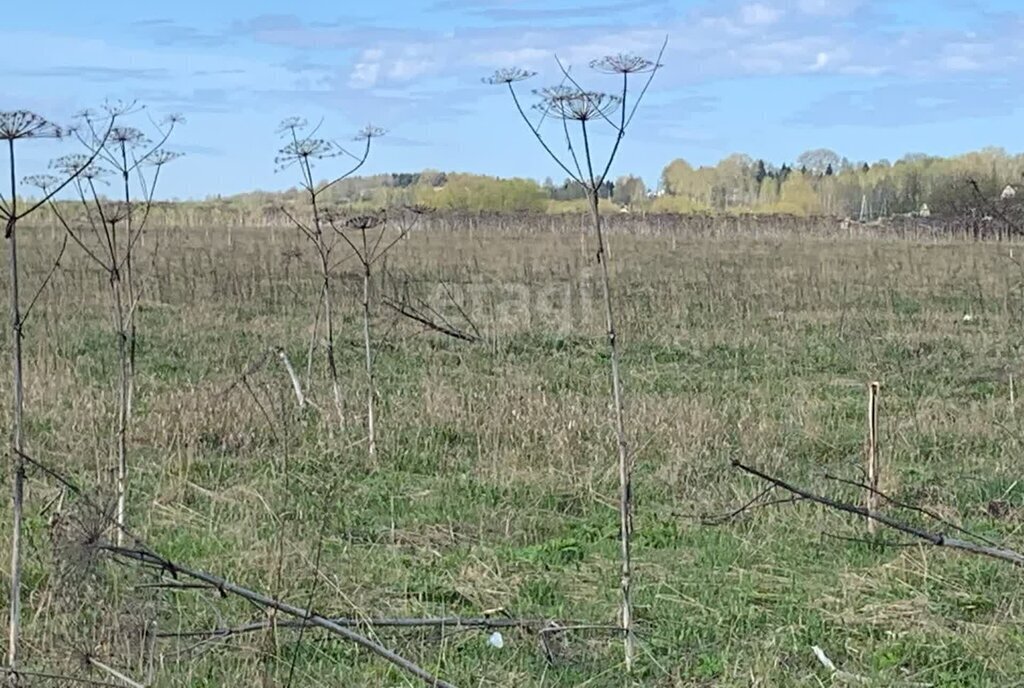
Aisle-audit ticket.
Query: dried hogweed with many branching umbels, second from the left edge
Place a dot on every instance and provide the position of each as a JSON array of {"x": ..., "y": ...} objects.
[{"x": 108, "y": 234}]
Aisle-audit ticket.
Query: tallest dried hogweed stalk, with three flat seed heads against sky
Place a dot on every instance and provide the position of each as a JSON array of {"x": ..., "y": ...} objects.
[{"x": 581, "y": 113}]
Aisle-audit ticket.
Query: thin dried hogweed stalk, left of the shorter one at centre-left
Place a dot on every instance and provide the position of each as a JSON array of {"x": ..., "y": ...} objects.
[{"x": 305, "y": 149}]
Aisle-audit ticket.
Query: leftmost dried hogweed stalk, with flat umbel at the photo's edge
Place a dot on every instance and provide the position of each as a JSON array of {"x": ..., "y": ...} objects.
[{"x": 17, "y": 127}]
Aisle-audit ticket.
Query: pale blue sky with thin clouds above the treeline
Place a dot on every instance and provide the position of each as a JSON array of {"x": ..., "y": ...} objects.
[{"x": 770, "y": 78}]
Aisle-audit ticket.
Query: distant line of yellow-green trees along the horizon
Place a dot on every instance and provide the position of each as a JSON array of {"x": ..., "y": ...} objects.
[{"x": 820, "y": 183}]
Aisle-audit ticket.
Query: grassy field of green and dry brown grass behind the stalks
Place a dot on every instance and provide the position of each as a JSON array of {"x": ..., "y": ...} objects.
[{"x": 495, "y": 484}]
